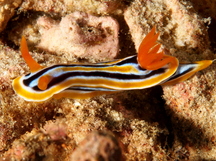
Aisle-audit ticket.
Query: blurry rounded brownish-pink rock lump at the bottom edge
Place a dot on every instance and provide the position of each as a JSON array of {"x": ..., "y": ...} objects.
[{"x": 98, "y": 146}]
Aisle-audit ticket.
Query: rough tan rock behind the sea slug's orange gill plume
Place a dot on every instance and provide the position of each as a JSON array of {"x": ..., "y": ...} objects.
[{"x": 183, "y": 32}]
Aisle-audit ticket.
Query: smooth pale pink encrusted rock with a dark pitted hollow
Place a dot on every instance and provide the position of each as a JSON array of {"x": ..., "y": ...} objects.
[{"x": 80, "y": 34}]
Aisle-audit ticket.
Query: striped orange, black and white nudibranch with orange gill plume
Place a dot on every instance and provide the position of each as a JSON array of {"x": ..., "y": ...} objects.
[{"x": 147, "y": 69}]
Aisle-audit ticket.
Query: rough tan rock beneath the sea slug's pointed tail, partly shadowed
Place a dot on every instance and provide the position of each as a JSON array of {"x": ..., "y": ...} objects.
[{"x": 192, "y": 107}]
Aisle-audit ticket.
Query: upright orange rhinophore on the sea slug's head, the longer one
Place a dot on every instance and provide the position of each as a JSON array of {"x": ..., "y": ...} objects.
[{"x": 33, "y": 65}]
